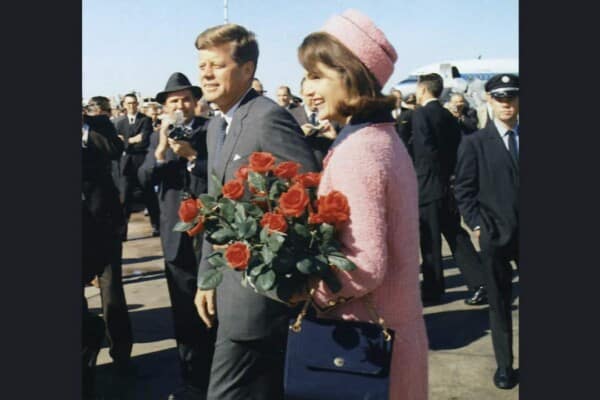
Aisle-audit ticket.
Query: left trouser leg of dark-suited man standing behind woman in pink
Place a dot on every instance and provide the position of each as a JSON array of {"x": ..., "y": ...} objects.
[{"x": 431, "y": 249}]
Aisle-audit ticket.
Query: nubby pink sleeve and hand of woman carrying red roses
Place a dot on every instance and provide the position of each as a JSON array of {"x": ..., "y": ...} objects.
[{"x": 364, "y": 238}]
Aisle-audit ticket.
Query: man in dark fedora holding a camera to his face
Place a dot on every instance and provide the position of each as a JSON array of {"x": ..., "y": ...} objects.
[{"x": 177, "y": 167}]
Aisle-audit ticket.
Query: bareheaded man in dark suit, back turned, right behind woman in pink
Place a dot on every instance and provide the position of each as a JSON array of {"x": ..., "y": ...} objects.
[{"x": 435, "y": 142}]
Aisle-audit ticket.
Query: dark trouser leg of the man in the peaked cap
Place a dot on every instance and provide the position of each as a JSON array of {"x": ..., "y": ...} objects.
[{"x": 498, "y": 279}]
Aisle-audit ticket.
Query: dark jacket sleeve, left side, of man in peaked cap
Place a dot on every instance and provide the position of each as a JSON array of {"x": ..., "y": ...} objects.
[{"x": 466, "y": 185}]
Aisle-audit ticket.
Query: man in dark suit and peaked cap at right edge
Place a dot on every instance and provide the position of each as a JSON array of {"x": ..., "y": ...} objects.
[{"x": 486, "y": 189}]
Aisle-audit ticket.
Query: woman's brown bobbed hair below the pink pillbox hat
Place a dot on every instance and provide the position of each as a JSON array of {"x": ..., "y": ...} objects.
[{"x": 364, "y": 92}]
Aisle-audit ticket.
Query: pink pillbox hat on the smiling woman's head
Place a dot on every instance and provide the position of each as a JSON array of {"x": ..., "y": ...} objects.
[{"x": 359, "y": 34}]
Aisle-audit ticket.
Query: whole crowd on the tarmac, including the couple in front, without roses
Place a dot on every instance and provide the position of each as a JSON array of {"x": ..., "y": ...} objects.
[{"x": 413, "y": 168}]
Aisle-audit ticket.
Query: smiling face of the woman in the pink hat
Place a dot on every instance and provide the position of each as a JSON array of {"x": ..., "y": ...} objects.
[{"x": 324, "y": 85}]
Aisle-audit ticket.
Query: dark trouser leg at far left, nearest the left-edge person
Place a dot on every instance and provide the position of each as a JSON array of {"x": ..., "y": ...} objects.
[{"x": 114, "y": 307}]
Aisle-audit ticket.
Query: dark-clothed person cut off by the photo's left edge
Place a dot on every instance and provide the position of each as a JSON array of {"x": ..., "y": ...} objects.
[{"x": 101, "y": 218}]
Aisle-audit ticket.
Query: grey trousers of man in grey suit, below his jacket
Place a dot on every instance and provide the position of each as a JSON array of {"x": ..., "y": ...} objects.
[{"x": 248, "y": 370}]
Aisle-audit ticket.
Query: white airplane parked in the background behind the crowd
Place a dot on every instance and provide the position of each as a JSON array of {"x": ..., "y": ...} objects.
[{"x": 458, "y": 74}]
